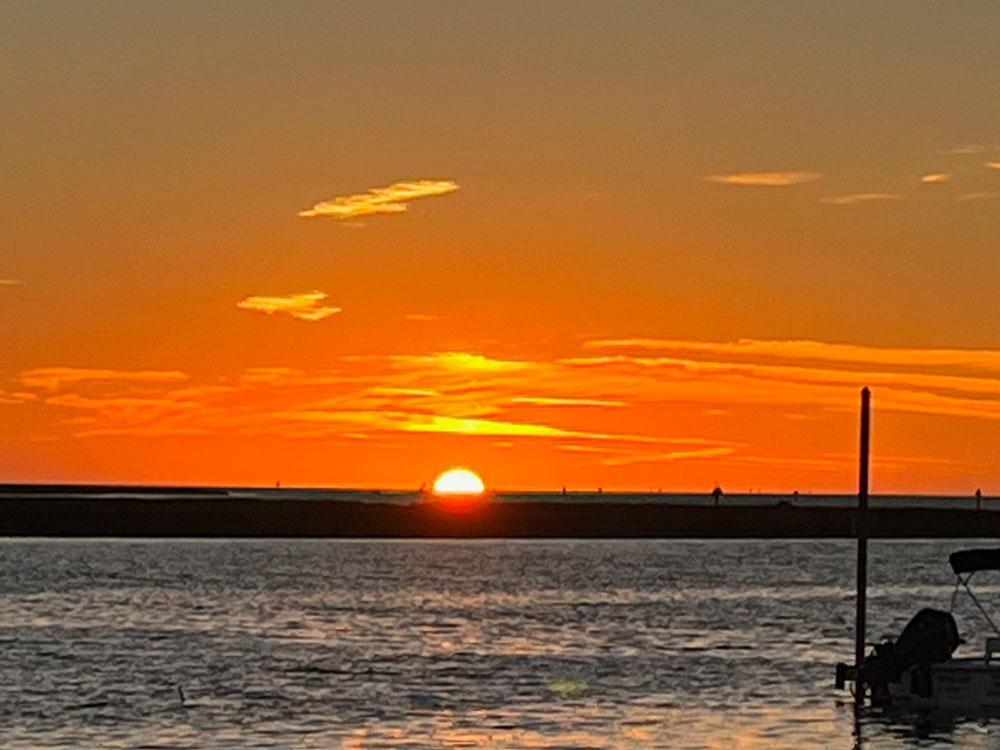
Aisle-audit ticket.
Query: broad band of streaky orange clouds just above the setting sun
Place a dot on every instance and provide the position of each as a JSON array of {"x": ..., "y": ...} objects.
[{"x": 637, "y": 402}]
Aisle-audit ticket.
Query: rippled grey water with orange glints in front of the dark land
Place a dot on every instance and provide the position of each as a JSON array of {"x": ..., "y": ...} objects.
[{"x": 453, "y": 644}]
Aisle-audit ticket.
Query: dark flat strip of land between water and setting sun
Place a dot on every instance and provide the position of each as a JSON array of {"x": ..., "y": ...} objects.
[{"x": 67, "y": 511}]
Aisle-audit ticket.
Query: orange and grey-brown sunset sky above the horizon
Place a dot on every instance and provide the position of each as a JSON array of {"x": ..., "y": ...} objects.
[{"x": 654, "y": 245}]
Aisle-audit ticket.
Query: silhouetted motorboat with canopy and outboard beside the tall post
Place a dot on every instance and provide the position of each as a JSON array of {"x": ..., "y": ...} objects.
[{"x": 918, "y": 670}]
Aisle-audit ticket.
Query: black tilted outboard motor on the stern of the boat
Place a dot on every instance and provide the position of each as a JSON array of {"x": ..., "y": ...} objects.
[{"x": 931, "y": 637}]
